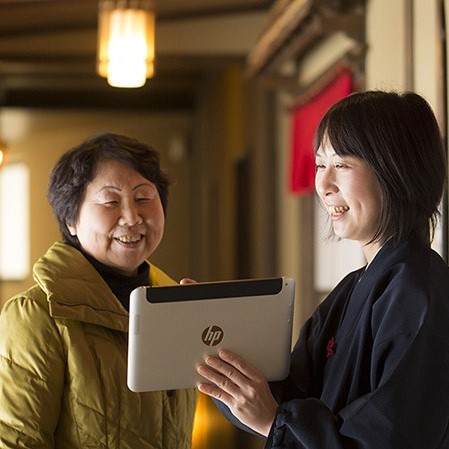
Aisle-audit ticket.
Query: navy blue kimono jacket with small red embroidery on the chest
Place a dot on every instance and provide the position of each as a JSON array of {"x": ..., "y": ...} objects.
[{"x": 371, "y": 367}]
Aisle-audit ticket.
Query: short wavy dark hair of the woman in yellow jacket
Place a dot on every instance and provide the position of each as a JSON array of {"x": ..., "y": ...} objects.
[{"x": 78, "y": 166}]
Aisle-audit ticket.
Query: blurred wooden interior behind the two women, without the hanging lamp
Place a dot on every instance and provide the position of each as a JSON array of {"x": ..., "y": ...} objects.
[{"x": 238, "y": 88}]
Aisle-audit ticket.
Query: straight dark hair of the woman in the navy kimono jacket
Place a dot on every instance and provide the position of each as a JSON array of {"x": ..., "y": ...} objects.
[{"x": 398, "y": 136}]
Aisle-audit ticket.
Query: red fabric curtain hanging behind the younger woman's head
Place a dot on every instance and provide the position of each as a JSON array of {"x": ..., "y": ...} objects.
[{"x": 305, "y": 120}]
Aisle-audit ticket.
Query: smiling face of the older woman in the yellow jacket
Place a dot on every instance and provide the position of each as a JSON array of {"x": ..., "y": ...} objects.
[{"x": 121, "y": 219}]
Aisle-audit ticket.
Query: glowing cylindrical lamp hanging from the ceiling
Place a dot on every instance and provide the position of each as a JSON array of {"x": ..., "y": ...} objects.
[{"x": 126, "y": 42}]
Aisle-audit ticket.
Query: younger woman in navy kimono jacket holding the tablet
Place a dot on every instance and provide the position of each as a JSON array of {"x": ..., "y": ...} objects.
[{"x": 371, "y": 367}]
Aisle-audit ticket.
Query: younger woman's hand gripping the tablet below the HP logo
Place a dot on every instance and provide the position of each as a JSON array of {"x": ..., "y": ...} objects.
[{"x": 241, "y": 387}]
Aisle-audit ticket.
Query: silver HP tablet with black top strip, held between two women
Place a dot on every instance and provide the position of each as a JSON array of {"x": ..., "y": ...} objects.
[{"x": 172, "y": 329}]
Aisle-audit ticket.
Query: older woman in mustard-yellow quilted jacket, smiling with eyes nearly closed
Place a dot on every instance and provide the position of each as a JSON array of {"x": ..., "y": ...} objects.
[{"x": 63, "y": 347}]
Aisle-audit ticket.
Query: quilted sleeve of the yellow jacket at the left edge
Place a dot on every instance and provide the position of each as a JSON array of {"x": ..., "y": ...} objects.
[{"x": 31, "y": 375}]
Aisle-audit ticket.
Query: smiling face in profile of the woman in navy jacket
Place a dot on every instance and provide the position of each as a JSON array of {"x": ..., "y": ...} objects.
[{"x": 350, "y": 192}]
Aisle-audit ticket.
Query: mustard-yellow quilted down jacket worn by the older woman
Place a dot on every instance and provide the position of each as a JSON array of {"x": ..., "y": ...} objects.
[{"x": 63, "y": 356}]
